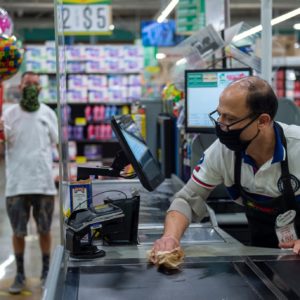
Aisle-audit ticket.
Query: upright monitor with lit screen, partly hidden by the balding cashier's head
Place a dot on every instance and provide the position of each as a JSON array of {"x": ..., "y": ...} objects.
[{"x": 202, "y": 91}]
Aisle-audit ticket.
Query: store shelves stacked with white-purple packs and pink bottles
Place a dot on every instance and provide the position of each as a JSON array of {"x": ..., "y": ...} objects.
[{"x": 102, "y": 81}]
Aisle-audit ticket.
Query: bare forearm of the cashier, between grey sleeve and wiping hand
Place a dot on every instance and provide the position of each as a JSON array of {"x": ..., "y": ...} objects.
[{"x": 175, "y": 224}]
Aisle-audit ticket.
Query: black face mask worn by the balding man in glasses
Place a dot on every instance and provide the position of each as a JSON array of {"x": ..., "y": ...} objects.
[{"x": 231, "y": 138}]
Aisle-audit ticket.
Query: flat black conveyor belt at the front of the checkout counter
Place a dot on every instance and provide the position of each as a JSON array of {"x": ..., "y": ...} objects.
[{"x": 198, "y": 279}]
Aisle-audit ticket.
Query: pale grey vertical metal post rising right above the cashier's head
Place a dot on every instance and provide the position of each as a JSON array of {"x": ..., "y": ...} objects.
[{"x": 266, "y": 39}]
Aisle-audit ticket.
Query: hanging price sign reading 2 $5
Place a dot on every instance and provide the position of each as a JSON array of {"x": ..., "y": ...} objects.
[{"x": 85, "y": 17}]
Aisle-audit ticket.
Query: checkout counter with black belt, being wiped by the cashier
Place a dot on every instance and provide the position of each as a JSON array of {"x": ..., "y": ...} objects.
[{"x": 216, "y": 265}]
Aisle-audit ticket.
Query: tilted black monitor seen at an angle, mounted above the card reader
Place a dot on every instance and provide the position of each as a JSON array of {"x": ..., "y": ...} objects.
[{"x": 137, "y": 152}]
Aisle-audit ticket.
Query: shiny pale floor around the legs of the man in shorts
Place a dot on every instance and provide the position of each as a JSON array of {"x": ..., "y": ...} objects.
[{"x": 32, "y": 252}]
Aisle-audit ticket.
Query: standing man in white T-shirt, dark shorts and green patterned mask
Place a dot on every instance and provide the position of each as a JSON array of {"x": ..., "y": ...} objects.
[{"x": 30, "y": 131}]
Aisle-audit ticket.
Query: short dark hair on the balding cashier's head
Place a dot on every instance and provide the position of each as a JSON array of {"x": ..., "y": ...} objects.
[{"x": 260, "y": 97}]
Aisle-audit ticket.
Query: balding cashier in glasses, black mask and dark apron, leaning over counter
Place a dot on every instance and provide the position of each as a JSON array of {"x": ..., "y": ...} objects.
[{"x": 257, "y": 159}]
